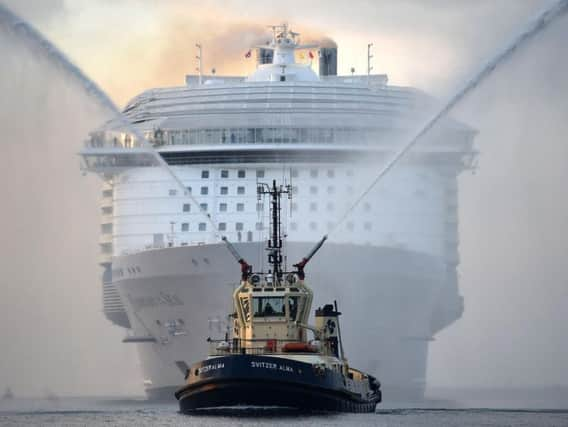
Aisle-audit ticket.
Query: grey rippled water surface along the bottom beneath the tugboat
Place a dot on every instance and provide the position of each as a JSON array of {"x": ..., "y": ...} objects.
[{"x": 92, "y": 412}]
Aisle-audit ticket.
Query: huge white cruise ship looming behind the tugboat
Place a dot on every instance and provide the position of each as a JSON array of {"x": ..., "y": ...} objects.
[{"x": 166, "y": 272}]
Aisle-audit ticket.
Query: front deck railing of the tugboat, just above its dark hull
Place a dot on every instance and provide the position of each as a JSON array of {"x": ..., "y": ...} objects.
[{"x": 255, "y": 346}]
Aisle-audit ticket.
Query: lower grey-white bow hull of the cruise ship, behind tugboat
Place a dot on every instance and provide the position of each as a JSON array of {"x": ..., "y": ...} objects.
[{"x": 177, "y": 297}]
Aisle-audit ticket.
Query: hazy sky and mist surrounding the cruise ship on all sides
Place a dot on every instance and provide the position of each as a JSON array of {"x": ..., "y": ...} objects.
[{"x": 513, "y": 216}]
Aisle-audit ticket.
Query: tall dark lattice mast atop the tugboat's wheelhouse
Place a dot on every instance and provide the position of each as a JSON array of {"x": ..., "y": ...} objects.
[{"x": 275, "y": 242}]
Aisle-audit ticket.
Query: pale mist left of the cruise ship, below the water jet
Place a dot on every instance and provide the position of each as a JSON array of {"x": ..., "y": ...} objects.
[{"x": 53, "y": 330}]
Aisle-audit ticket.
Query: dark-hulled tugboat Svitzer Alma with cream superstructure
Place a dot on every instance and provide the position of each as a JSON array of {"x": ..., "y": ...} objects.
[{"x": 266, "y": 359}]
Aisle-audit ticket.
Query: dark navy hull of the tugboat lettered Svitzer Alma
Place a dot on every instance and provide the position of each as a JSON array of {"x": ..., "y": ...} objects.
[{"x": 246, "y": 380}]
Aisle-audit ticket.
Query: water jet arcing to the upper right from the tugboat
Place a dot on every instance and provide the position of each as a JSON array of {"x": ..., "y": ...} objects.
[{"x": 532, "y": 28}]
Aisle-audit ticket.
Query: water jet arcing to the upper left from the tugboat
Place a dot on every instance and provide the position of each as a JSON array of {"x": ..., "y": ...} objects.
[{"x": 28, "y": 33}]
